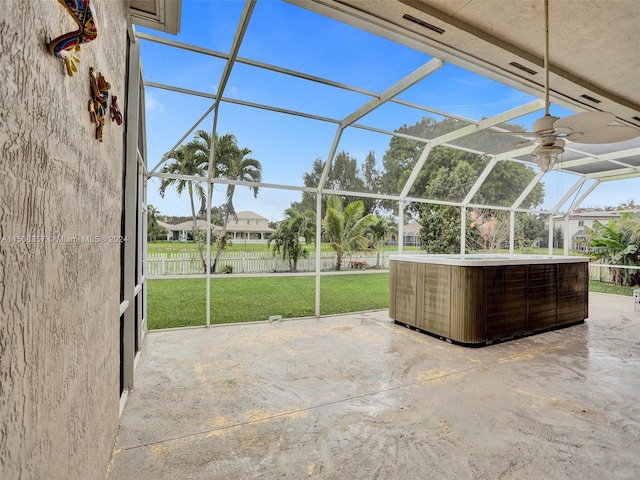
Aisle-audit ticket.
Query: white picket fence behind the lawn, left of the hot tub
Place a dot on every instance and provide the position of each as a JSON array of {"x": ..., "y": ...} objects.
[{"x": 184, "y": 263}]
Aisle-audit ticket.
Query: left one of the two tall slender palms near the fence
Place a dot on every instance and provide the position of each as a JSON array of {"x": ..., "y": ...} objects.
[{"x": 187, "y": 164}]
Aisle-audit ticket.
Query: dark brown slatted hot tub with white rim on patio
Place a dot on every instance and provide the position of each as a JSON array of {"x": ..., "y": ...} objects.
[{"x": 476, "y": 300}]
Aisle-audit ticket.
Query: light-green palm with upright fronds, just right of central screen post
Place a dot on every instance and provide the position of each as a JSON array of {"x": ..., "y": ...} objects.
[{"x": 345, "y": 228}]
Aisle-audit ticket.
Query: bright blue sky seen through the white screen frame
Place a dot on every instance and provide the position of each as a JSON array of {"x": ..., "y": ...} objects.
[{"x": 294, "y": 38}]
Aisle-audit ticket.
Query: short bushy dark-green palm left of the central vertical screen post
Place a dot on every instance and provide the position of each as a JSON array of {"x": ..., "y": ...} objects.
[{"x": 287, "y": 239}]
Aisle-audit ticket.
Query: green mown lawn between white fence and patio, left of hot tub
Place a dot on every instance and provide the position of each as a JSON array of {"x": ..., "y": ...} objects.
[{"x": 182, "y": 303}]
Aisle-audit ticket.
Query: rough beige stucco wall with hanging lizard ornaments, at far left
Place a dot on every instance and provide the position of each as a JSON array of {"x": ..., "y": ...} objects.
[{"x": 59, "y": 320}]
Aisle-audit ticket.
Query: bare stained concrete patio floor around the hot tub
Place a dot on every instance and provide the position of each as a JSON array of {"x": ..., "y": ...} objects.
[{"x": 358, "y": 397}]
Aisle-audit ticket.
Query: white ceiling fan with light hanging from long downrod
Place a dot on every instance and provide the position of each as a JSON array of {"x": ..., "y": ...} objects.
[{"x": 549, "y": 131}]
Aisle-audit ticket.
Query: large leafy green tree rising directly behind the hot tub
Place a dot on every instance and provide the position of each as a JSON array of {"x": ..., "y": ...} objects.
[{"x": 448, "y": 175}]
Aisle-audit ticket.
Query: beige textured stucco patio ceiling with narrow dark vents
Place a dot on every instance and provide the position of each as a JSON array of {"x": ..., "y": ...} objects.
[{"x": 594, "y": 44}]
